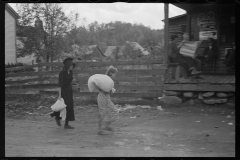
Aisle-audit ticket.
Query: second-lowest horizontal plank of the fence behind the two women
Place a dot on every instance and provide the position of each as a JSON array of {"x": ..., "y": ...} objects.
[{"x": 84, "y": 86}]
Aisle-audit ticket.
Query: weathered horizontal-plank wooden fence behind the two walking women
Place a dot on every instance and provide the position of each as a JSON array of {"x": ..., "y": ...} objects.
[{"x": 134, "y": 79}]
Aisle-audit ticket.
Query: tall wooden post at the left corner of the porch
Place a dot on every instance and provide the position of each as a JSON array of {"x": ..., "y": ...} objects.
[{"x": 166, "y": 28}]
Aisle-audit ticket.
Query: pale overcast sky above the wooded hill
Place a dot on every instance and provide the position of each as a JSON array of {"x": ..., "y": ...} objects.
[{"x": 148, "y": 14}]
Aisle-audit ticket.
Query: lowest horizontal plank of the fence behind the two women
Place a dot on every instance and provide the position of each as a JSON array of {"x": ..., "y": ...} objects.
[{"x": 136, "y": 95}]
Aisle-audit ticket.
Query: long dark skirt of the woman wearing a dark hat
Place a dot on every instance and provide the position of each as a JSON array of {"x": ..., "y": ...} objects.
[{"x": 67, "y": 95}]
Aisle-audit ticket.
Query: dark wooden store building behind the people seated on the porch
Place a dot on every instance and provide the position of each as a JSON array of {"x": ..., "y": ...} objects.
[{"x": 209, "y": 20}]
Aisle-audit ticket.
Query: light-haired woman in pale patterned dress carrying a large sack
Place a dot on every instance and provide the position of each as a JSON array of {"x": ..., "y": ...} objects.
[{"x": 108, "y": 112}]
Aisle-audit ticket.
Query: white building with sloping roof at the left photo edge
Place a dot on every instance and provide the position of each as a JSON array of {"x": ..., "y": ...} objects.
[{"x": 10, "y": 34}]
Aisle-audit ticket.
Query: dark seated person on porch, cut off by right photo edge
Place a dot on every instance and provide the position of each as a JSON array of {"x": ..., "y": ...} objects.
[{"x": 230, "y": 58}]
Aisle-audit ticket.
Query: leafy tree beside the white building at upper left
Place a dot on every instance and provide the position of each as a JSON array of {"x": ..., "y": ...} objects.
[{"x": 44, "y": 37}]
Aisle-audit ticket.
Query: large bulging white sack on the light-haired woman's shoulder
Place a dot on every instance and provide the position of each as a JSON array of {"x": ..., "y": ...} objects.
[{"x": 104, "y": 82}]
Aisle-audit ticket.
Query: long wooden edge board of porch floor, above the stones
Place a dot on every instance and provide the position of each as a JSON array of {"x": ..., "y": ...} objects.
[{"x": 199, "y": 87}]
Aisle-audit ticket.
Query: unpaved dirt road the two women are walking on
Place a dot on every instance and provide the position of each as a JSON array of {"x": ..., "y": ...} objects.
[{"x": 185, "y": 131}]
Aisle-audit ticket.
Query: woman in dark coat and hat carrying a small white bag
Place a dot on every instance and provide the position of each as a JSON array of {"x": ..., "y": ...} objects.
[{"x": 65, "y": 92}]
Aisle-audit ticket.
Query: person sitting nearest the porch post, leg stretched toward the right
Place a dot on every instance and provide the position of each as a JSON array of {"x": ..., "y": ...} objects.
[{"x": 175, "y": 57}]
